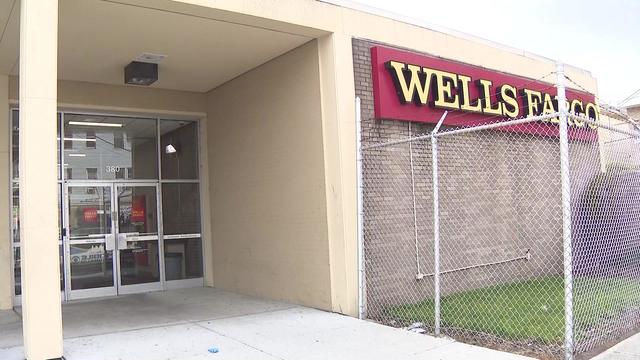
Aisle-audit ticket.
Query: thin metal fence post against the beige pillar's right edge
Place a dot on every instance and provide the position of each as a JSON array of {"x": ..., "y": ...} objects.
[{"x": 361, "y": 308}]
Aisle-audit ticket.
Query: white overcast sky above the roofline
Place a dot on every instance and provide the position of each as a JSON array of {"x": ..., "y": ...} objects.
[{"x": 602, "y": 36}]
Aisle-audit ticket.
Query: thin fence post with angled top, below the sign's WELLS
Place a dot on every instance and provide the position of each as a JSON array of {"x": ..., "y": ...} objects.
[{"x": 436, "y": 225}]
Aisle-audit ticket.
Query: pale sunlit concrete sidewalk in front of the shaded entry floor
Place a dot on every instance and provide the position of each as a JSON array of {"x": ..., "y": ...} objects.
[{"x": 292, "y": 334}]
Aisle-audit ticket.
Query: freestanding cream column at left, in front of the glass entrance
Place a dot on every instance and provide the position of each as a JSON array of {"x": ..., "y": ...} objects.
[{"x": 41, "y": 303}]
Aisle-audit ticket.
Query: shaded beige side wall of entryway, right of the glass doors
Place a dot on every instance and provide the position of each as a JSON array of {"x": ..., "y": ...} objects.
[{"x": 267, "y": 182}]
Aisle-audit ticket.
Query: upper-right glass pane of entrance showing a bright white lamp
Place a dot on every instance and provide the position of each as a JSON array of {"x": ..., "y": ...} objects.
[{"x": 179, "y": 149}]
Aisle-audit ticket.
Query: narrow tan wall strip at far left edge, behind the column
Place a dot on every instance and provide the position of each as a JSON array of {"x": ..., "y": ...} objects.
[{"x": 5, "y": 244}]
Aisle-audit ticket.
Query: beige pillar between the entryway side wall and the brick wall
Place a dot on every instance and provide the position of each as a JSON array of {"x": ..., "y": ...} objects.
[{"x": 339, "y": 136}]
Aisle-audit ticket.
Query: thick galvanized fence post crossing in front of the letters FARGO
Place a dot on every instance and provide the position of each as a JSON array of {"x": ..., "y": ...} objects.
[{"x": 566, "y": 215}]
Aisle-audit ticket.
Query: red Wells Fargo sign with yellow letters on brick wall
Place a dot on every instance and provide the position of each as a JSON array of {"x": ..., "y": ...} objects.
[{"x": 413, "y": 87}]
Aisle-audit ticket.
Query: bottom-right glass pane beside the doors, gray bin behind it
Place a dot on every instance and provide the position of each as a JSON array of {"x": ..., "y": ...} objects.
[{"x": 183, "y": 258}]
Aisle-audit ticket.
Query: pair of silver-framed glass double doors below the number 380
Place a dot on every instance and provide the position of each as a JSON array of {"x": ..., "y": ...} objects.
[{"x": 112, "y": 242}]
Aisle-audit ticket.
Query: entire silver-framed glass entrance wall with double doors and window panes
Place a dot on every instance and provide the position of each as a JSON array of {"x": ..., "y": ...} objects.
[{"x": 129, "y": 202}]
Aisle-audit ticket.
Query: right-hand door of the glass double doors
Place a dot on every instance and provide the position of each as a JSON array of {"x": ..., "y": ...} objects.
[{"x": 137, "y": 237}]
